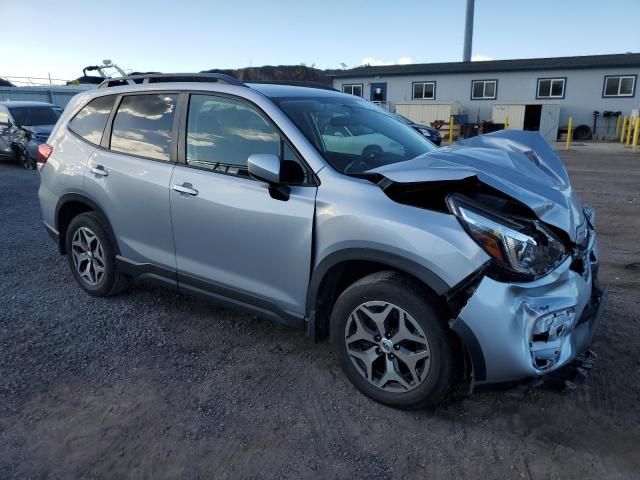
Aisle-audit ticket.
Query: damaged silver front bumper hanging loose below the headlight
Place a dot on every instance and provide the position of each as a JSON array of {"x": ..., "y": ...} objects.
[{"x": 519, "y": 330}]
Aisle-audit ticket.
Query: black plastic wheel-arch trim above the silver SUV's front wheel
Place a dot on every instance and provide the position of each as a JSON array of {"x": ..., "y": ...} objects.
[{"x": 432, "y": 280}]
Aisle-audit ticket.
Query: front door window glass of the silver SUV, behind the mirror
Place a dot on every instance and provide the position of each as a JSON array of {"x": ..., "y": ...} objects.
[{"x": 222, "y": 133}]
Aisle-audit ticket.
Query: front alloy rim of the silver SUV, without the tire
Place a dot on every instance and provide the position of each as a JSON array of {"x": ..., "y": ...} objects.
[{"x": 387, "y": 346}]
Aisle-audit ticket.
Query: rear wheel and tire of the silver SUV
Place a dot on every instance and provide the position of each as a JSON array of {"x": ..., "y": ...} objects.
[{"x": 87, "y": 242}]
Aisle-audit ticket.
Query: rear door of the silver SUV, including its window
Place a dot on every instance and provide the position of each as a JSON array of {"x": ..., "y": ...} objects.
[{"x": 129, "y": 175}]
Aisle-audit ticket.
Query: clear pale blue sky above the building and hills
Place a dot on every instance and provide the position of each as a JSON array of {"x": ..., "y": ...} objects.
[{"x": 59, "y": 38}]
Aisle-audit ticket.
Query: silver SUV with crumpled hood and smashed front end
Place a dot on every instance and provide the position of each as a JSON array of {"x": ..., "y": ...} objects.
[{"x": 428, "y": 267}]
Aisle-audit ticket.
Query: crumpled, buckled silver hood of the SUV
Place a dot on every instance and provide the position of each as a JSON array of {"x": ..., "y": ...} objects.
[{"x": 518, "y": 163}]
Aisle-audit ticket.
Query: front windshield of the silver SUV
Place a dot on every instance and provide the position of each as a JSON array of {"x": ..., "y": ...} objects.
[{"x": 353, "y": 135}]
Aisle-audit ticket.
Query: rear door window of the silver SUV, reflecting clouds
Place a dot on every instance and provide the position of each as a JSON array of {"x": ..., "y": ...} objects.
[{"x": 142, "y": 126}]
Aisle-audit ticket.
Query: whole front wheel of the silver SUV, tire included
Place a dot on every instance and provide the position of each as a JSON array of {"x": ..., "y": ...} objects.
[{"x": 408, "y": 383}]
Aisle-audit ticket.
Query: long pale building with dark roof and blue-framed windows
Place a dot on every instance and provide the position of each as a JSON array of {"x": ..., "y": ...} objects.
[{"x": 535, "y": 94}]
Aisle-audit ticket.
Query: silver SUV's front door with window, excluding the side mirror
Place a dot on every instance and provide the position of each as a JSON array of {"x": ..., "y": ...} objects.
[{"x": 232, "y": 237}]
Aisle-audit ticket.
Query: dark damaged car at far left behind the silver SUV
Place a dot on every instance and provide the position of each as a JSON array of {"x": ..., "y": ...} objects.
[{"x": 24, "y": 126}]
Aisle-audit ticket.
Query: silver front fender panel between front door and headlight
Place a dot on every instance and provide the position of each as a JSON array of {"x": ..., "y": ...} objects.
[{"x": 356, "y": 214}]
